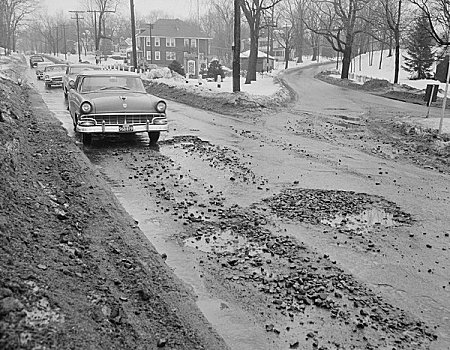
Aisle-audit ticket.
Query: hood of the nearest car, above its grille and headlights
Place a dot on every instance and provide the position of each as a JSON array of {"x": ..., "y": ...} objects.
[{"x": 126, "y": 102}]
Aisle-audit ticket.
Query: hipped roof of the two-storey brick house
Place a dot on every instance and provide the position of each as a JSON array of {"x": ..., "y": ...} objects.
[{"x": 174, "y": 28}]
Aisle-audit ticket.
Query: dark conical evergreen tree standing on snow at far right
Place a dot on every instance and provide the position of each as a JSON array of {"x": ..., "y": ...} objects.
[{"x": 419, "y": 48}]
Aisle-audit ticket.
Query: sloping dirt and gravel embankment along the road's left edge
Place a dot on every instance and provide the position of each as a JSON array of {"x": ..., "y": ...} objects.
[{"x": 75, "y": 270}]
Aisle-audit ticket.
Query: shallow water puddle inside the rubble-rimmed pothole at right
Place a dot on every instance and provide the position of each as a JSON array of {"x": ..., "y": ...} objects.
[{"x": 362, "y": 222}]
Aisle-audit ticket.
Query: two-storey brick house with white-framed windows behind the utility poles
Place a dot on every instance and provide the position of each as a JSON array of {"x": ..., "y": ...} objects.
[{"x": 172, "y": 39}]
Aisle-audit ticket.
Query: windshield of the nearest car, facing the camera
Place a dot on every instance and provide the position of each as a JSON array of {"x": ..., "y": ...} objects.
[{"x": 112, "y": 83}]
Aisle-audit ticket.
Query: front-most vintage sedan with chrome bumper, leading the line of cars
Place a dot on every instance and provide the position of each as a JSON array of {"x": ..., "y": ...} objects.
[{"x": 104, "y": 102}]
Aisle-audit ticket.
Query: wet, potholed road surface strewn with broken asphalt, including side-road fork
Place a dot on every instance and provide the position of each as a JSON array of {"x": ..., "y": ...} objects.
[{"x": 213, "y": 197}]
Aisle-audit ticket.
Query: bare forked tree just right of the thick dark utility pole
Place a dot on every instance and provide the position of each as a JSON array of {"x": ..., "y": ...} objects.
[{"x": 253, "y": 10}]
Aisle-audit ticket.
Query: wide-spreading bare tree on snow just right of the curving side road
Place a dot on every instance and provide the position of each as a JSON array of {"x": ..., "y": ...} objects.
[{"x": 339, "y": 22}]
